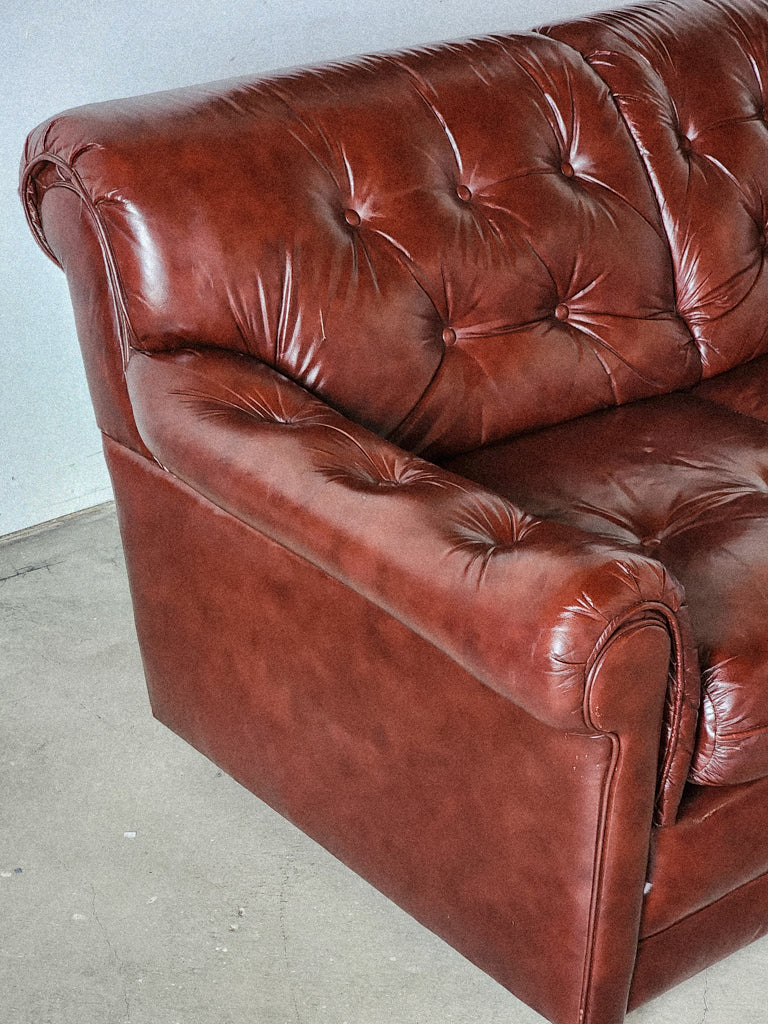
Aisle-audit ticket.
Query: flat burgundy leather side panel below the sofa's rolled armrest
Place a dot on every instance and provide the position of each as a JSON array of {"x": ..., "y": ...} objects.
[{"x": 523, "y": 846}]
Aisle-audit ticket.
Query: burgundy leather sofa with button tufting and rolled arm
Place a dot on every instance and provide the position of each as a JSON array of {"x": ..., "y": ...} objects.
[{"x": 434, "y": 389}]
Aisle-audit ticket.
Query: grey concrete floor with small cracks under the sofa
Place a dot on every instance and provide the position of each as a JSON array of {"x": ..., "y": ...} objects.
[{"x": 140, "y": 885}]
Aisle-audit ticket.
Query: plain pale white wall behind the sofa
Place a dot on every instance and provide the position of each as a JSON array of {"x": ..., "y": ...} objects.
[{"x": 59, "y": 56}]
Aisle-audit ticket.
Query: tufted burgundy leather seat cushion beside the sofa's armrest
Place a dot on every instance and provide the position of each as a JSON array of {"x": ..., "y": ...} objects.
[{"x": 687, "y": 482}]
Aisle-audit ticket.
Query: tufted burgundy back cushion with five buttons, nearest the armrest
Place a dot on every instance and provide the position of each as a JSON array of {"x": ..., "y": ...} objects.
[{"x": 449, "y": 245}]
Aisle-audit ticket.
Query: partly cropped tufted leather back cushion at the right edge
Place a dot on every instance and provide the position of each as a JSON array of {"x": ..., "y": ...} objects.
[{"x": 692, "y": 80}]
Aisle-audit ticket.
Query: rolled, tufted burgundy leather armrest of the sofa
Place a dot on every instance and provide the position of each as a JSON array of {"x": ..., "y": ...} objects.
[{"x": 527, "y": 606}]
